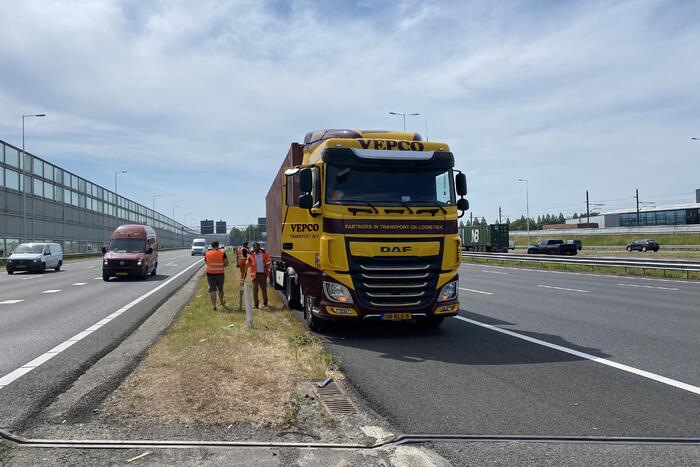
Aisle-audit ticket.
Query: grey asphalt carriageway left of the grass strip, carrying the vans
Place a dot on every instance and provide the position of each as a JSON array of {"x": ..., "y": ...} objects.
[{"x": 43, "y": 319}]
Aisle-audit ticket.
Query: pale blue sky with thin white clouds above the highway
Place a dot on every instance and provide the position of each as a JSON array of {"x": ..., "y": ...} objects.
[{"x": 199, "y": 101}]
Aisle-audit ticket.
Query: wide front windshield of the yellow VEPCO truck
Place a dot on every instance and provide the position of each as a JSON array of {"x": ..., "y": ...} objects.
[{"x": 346, "y": 185}]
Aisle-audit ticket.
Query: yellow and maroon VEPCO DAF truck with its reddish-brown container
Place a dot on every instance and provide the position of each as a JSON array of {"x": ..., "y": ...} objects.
[{"x": 363, "y": 225}]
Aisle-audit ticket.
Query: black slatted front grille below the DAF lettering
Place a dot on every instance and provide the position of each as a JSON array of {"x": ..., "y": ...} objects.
[{"x": 391, "y": 283}]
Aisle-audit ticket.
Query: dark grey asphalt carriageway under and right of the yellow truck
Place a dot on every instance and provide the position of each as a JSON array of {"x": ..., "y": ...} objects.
[{"x": 467, "y": 378}]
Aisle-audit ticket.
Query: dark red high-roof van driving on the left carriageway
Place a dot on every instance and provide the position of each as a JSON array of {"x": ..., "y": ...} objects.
[{"x": 132, "y": 251}]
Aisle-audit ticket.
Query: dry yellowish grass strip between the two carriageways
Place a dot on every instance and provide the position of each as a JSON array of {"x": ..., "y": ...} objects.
[{"x": 209, "y": 368}]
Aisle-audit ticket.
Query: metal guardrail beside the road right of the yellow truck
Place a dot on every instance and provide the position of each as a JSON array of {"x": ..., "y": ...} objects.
[{"x": 683, "y": 267}]
